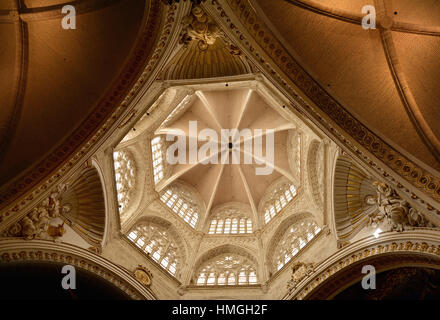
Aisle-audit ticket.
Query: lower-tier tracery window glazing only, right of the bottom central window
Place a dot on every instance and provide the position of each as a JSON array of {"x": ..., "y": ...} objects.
[{"x": 293, "y": 240}]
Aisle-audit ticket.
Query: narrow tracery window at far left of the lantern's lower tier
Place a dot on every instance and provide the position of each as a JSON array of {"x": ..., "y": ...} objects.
[{"x": 125, "y": 176}]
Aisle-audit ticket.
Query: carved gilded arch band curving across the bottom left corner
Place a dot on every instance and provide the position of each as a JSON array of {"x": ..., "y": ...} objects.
[{"x": 38, "y": 250}]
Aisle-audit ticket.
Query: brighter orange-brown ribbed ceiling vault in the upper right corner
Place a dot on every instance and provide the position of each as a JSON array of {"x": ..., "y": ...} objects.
[{"x": 363, "y": 69}]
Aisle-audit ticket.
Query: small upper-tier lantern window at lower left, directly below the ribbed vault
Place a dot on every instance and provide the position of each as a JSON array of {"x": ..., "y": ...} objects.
[{"x": 180, "y": 206}]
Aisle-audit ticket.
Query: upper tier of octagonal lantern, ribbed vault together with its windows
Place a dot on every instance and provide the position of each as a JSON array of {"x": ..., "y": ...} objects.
[{"x": 225, "y": 157}]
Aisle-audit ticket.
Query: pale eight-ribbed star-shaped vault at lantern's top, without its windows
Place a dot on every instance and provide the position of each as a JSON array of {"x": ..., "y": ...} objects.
[{"x": 229, "y": 144}]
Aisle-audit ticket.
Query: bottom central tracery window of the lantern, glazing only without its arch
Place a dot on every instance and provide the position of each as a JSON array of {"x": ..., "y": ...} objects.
[{"x": 226, "y": 270}]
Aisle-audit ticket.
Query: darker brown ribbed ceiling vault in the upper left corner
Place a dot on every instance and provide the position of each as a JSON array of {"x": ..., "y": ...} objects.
[{"x": 53, "y": 78}]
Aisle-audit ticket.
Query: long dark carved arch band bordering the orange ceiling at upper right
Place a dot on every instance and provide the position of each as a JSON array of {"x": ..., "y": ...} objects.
[{"x": 260, "y": 44}]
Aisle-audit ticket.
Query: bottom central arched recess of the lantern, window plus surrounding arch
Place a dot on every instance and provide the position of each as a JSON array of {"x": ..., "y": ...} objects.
[{"x": 226, "y": 265}]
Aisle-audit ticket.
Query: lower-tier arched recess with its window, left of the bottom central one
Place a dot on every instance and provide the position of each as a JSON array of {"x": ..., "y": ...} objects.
[{"x": 161, "y": 241}]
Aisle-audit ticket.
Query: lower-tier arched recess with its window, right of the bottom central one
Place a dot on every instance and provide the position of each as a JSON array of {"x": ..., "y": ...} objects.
[{"x": 293, "y": 234}]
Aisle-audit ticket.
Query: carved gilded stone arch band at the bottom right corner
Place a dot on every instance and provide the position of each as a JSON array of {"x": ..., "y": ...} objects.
[{"x": 391, "y": 250}]
